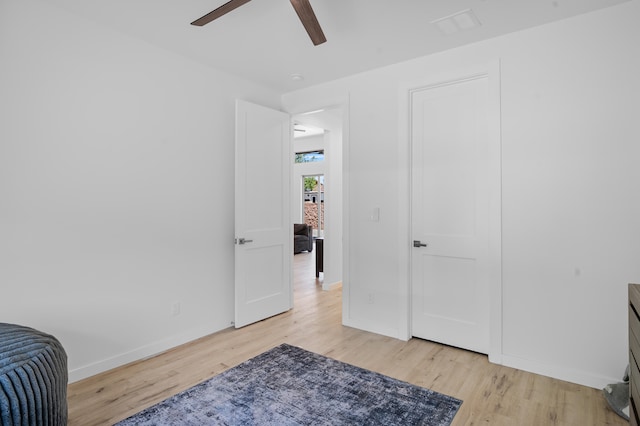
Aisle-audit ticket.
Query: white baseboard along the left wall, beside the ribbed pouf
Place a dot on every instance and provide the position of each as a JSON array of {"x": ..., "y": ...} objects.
[{"x": 138, "y": 354}]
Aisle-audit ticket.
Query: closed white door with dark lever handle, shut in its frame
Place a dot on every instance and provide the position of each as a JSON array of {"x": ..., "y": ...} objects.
[{"x": 450, "y": 207}]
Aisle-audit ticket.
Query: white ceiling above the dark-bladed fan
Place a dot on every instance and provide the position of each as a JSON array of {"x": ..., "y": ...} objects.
[{"x": 265, "y": 42}]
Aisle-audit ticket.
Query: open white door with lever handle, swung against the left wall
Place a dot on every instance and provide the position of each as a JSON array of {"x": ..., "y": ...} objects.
[{"x": 263, "y": 231}]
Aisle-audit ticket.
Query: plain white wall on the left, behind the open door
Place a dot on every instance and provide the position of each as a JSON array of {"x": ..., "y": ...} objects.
[{"x": 115, "y": 200}]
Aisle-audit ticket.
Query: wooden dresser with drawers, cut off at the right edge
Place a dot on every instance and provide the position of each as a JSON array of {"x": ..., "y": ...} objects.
[{"x": 634, "y": 354}]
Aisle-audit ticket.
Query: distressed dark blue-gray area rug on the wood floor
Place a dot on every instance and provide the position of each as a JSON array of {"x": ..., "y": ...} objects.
[{"x": 291, "y": 386}]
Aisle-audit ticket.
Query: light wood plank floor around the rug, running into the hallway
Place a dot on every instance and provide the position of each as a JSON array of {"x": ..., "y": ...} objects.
[{"x": 492, "y": 394}]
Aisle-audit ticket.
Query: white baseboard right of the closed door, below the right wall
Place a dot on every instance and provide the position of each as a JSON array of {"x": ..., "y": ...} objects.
[{"x": 580, "y": 377}]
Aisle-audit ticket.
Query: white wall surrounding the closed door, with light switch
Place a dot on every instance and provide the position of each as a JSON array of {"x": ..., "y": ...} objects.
[{"x": 570, "y": 206}]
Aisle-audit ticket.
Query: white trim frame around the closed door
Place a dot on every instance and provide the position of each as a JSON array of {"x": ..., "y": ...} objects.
[{"x": 491, "y": 70}]
